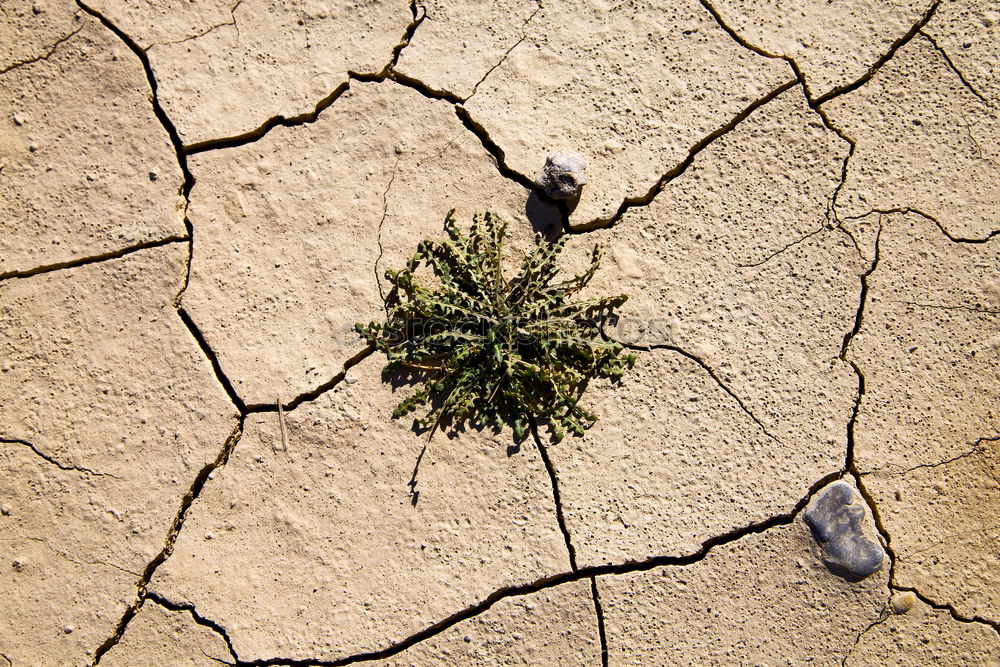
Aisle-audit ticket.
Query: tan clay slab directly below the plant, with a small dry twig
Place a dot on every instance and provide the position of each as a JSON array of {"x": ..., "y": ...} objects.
[{"x": 322, "y": 550}]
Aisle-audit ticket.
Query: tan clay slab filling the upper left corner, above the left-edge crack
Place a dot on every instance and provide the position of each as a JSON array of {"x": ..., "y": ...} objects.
[{"x": 85, "y": 167}]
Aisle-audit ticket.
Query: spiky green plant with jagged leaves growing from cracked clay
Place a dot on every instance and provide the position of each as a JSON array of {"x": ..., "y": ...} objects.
[{"x": 488, "y": 349}]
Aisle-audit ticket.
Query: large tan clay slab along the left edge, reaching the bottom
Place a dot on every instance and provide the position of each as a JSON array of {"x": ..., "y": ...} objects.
[{"x": 109, "y": 412}]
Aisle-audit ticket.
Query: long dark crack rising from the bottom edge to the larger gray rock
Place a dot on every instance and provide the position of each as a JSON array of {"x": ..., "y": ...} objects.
[{"x": 589, "y": 572}]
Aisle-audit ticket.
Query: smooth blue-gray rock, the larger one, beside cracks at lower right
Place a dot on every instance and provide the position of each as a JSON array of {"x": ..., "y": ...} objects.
[{"x": 837, "y": 517}]
